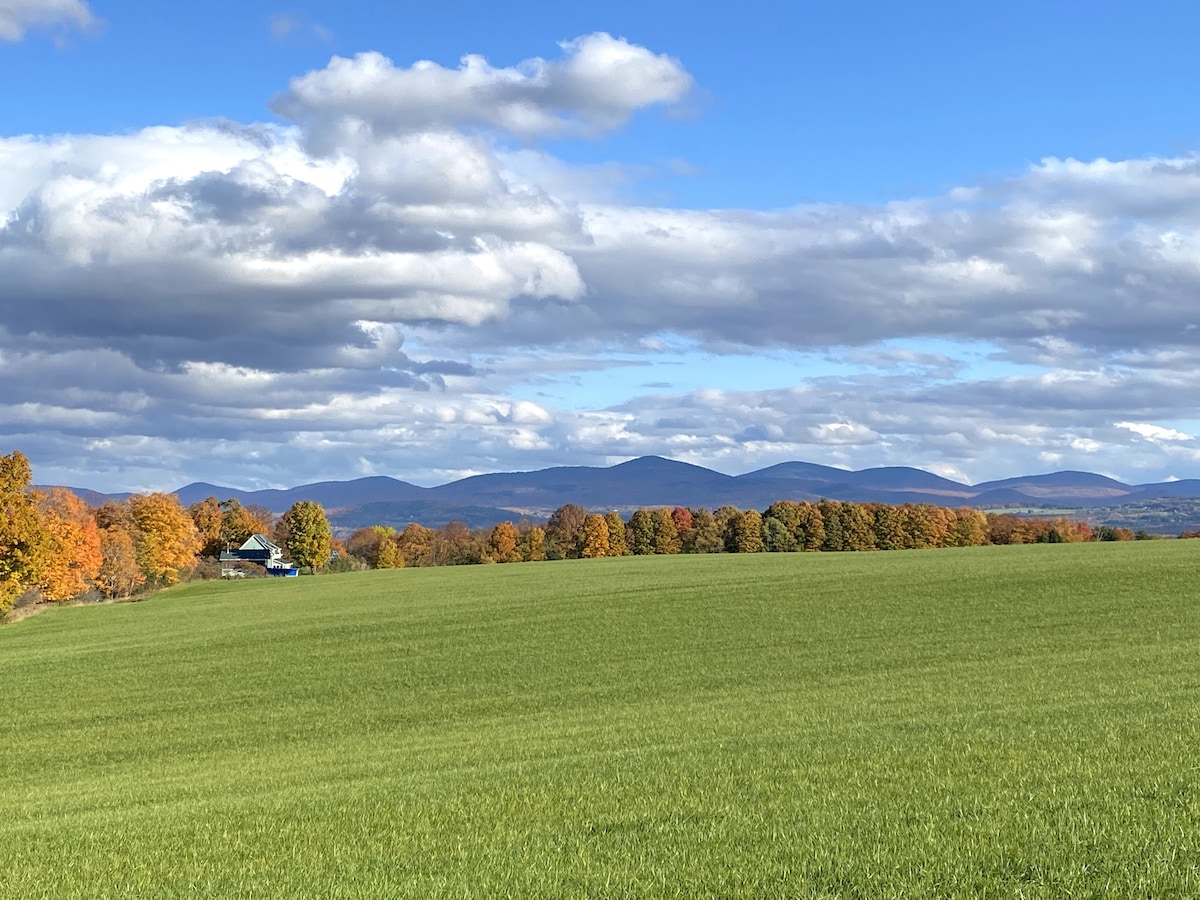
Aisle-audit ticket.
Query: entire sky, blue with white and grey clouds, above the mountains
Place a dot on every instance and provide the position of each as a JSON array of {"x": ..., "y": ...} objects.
[{"x": 253, "y": 244}]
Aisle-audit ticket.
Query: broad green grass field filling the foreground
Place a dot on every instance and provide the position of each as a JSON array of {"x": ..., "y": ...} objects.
[{"x": 998, "y": 722}]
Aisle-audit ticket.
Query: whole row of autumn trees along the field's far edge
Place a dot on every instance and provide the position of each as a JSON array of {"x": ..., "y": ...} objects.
[{"x": 55, "y": 544}]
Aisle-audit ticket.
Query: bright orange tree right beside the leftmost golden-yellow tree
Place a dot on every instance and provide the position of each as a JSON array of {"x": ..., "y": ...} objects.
[{"x": 74, "y": 555}]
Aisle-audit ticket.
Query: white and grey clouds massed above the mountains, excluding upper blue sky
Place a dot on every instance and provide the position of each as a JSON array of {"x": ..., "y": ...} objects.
[{"x": 400, "y": 278}]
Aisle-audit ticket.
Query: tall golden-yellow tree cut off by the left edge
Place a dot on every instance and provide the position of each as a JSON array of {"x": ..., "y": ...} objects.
[{"x": 23, "y": 543}]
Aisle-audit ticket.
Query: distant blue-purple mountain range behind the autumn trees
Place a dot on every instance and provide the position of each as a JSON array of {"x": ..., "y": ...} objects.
[{"x": 653, "y": 482}]
